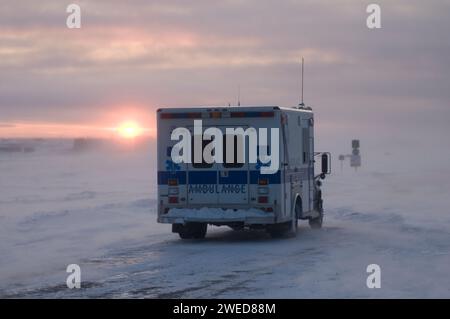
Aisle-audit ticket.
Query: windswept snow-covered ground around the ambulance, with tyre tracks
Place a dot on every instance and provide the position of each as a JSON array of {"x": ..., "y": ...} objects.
[{"x": 98, "y": 210}]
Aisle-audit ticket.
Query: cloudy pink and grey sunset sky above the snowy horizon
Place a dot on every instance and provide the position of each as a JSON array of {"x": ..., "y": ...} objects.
[{"x": 131, "y": 57}]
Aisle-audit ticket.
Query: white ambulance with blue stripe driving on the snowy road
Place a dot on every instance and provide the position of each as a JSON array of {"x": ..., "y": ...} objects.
[{"x": 238, "y": 193}]
